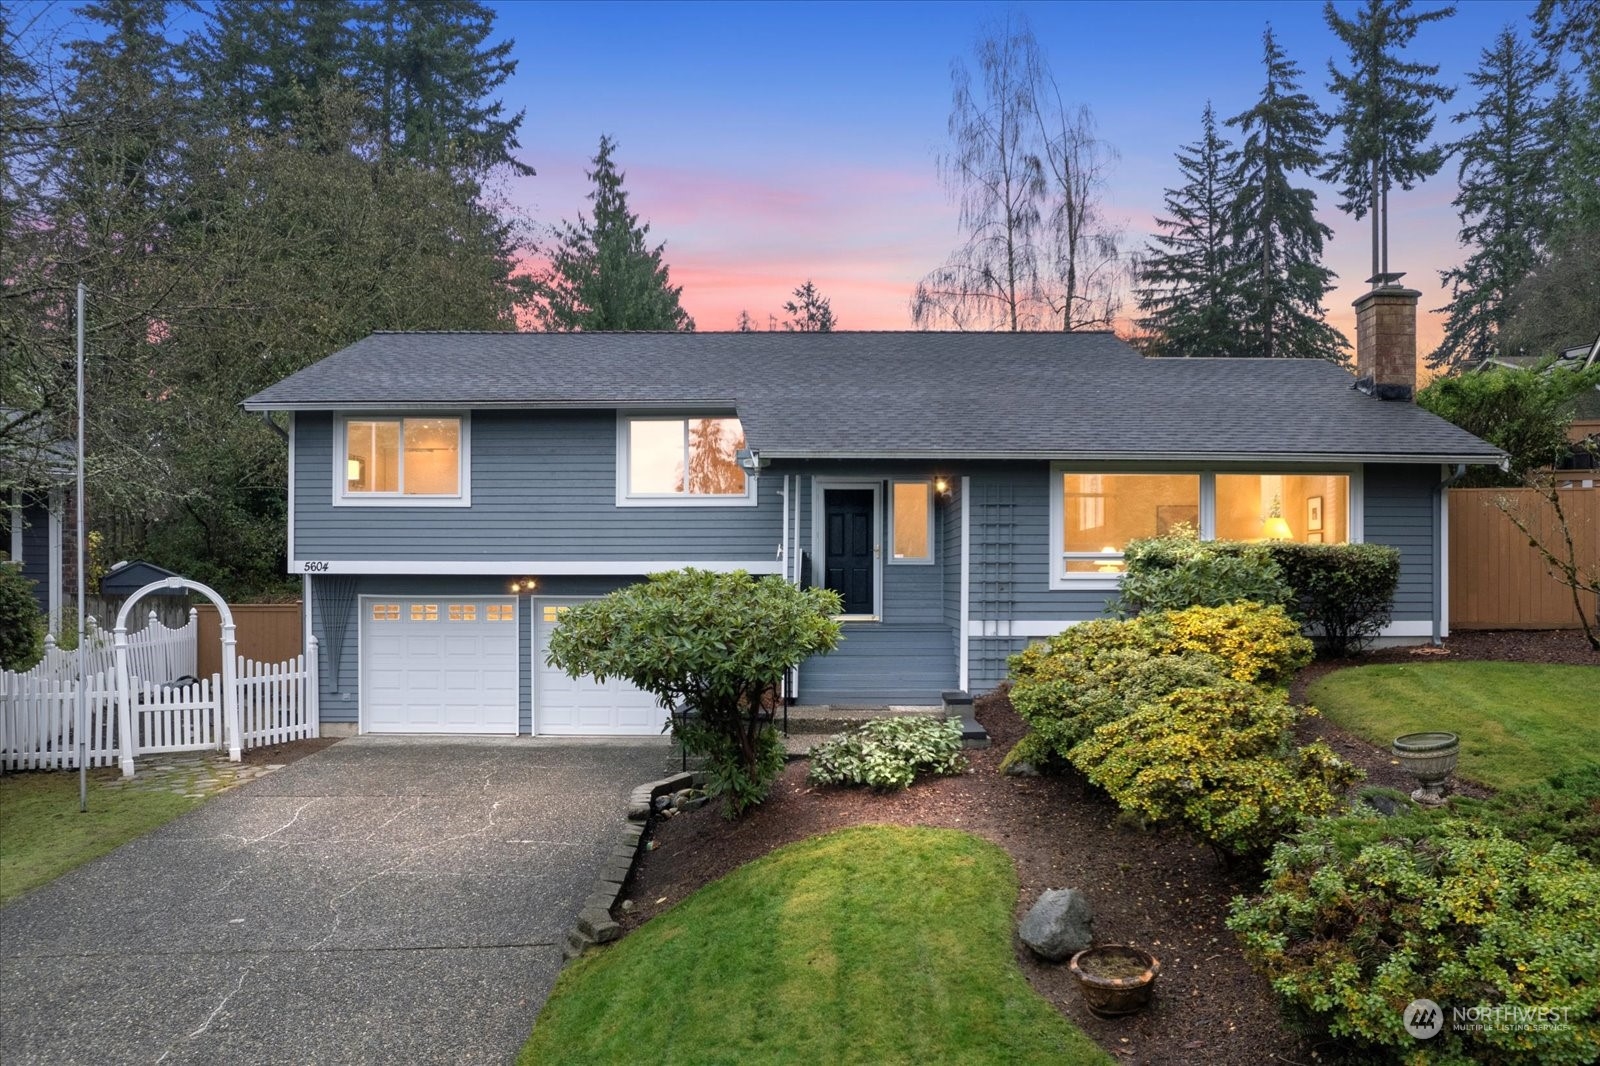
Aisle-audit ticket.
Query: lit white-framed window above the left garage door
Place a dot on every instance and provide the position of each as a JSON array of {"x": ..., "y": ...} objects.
[{"x": 404, "y": 462}]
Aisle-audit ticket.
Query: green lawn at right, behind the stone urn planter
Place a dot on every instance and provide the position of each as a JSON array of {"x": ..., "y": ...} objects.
[{"x": 1519, "y": 723}]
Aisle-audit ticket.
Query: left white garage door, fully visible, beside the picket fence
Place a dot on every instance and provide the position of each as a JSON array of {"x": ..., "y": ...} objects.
[{"x": 439, "y": 665}]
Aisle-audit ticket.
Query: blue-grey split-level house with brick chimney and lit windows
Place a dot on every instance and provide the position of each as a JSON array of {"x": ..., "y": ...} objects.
[{"x": 450, "y": 494}]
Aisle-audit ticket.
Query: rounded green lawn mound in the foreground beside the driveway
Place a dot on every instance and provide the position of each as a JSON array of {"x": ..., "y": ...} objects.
[{"x": 870, "y": 945}]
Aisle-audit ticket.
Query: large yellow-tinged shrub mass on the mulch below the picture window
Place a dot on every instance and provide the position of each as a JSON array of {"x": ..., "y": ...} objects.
[{"x": 1182, "y": 718}]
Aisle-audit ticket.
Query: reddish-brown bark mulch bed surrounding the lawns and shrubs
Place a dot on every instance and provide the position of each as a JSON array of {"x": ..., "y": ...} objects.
[{"x": 1156, "y": 891}]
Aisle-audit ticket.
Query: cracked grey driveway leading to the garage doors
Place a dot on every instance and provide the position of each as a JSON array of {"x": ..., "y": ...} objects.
[{"x": 382, "y": 902}]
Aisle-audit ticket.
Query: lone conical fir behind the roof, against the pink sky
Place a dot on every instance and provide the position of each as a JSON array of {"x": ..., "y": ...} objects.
[{"x": 602, "y": 275}]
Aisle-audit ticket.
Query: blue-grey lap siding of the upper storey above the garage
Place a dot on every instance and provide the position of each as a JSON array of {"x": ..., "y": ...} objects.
[{"x": 543, "y": 489}]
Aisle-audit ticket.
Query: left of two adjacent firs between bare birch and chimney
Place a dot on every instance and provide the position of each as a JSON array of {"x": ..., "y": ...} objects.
[{"x": 1186, "y": 283}]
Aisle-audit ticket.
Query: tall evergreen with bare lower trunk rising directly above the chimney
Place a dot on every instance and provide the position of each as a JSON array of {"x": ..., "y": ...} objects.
[{"x": 1386, "y": 113}]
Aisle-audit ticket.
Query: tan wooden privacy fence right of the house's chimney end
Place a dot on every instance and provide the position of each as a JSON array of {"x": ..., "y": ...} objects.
[{"x": 1497, "y": 579}]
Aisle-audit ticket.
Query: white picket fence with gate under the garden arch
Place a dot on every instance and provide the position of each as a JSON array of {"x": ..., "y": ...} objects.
[{"x": 278, "y": 703}]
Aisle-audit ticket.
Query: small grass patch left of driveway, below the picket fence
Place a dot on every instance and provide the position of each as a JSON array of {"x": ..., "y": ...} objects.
[{"x": 42, "y": 835}]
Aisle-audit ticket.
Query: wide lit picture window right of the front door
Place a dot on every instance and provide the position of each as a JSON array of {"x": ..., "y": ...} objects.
[{"x": 1097, "y": 515}]
